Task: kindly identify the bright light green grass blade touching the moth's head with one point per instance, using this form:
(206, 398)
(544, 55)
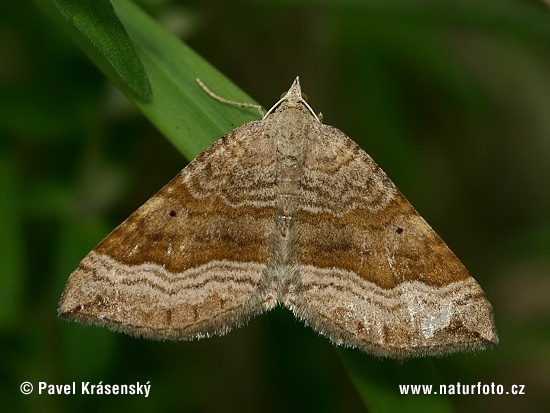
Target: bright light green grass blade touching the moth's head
(181, 110)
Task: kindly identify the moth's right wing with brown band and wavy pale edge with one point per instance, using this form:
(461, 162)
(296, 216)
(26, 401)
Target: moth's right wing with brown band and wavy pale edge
(374, 275)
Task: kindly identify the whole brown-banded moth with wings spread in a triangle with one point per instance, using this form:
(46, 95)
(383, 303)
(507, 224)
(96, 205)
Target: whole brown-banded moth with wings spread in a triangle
(283, 211)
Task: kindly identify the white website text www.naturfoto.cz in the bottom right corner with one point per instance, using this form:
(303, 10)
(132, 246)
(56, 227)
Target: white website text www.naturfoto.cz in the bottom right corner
(460, 388)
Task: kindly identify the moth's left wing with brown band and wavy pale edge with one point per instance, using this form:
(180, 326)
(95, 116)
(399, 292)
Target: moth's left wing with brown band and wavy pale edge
(192, 261)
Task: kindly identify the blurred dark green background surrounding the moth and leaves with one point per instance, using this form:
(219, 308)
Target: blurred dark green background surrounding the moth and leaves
(451, 98)
